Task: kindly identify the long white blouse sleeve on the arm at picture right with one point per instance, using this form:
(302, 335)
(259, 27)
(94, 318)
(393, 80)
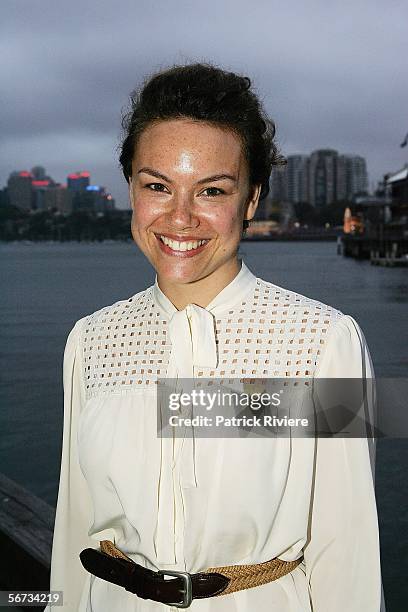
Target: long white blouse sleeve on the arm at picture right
(342, 555)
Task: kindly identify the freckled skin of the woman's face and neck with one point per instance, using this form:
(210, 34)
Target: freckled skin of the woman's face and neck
(185, 152)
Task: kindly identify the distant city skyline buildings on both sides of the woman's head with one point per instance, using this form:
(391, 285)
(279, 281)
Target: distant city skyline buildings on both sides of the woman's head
(294, 182)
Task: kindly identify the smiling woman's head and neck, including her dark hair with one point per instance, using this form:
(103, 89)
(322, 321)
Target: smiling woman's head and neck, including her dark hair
(203, 134)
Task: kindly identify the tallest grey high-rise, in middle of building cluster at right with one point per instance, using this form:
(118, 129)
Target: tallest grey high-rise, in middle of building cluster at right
(322, 177)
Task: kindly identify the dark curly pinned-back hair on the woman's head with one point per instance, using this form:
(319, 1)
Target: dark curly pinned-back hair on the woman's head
(204, 92)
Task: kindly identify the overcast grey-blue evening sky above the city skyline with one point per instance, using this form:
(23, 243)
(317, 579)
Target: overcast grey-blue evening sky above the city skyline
(330, 73)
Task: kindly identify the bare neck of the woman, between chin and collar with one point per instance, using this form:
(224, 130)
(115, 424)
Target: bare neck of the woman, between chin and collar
(200, 292)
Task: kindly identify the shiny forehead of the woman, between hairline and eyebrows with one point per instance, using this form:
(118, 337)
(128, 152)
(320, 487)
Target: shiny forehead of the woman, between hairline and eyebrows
(184, 143)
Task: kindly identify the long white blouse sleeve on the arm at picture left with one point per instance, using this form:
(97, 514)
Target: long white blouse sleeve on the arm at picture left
(74, 512)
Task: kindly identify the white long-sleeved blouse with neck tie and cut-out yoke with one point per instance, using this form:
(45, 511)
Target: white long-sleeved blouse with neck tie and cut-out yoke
(192, 503)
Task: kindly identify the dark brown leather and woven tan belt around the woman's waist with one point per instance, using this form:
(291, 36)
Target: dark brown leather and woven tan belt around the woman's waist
(212, 582)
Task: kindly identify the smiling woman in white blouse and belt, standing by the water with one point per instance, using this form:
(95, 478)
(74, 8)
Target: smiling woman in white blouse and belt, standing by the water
(197, 155)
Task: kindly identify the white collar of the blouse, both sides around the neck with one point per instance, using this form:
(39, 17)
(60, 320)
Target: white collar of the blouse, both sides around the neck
(233, 293)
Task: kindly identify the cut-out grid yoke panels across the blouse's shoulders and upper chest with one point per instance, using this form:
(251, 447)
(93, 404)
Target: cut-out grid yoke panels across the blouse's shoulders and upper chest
(274, 332)
